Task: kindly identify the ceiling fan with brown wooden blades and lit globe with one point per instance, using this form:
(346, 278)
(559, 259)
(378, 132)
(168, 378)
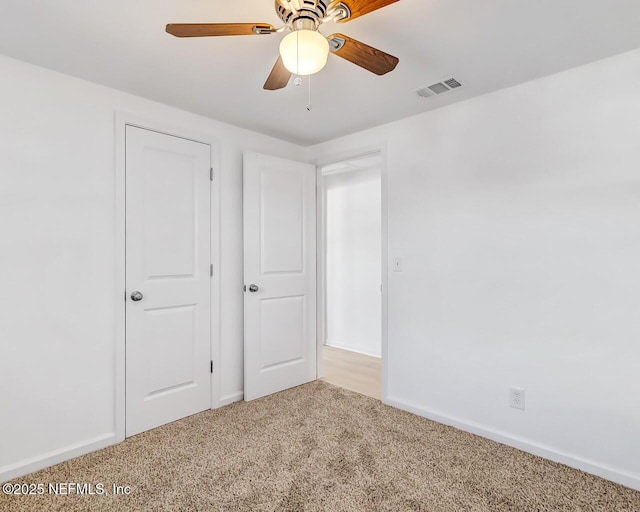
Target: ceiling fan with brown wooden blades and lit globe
(304, 51)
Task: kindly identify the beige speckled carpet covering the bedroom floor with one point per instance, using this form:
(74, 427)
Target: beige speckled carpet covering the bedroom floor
(319, 447)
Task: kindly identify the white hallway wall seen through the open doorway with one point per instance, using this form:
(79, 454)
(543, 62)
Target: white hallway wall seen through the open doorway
(353, 273)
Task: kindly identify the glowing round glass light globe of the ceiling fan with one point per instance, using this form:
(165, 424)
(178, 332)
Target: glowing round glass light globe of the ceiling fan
(304, 52)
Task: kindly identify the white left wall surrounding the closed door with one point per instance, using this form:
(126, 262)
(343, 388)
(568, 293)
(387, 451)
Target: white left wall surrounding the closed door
(57, 258)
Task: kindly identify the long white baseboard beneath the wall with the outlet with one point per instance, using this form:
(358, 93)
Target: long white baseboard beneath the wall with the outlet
(608, 473)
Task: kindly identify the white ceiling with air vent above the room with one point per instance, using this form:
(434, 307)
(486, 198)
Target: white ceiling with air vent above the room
(485, 44)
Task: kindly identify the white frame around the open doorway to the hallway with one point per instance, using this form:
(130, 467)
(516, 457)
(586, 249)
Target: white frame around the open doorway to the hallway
(381, 150)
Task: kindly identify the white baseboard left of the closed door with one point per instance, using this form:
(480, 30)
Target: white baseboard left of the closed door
(51, 458)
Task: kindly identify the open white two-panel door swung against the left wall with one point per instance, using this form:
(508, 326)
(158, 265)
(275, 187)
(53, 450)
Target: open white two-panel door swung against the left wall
(279, 274)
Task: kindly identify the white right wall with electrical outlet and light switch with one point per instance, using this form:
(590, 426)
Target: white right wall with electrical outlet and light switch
(518, 217)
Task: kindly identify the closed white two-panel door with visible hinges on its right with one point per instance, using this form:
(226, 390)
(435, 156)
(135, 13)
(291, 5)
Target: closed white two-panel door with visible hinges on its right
(168, 314)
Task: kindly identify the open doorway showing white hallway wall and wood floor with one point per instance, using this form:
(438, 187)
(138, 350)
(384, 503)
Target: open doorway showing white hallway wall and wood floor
(350, 261)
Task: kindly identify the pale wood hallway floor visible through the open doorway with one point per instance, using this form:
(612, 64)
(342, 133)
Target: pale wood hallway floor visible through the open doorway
(352, 371)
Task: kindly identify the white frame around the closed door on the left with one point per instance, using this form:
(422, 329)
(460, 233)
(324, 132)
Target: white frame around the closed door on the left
(123, 119)
